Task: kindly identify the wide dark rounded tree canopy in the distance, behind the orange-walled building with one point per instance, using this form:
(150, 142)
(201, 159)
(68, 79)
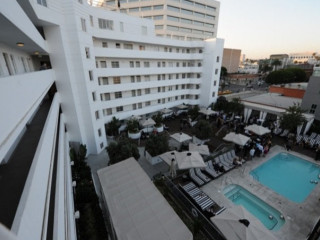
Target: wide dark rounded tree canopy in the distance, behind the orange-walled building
(289, 75)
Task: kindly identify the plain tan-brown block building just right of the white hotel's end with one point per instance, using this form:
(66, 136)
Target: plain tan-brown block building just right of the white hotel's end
(231, 59)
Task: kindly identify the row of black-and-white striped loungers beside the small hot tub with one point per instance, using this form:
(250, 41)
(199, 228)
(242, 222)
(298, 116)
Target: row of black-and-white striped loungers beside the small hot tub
(199, 197)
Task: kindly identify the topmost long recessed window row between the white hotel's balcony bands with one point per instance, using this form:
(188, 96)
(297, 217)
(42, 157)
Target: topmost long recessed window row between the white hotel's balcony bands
(155, 48)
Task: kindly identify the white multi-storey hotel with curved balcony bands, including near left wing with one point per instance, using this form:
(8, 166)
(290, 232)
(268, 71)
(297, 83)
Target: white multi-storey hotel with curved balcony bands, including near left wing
(103, 64)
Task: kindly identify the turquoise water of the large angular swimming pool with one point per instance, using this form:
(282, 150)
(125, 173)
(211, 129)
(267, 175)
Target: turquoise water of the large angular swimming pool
(288, 175)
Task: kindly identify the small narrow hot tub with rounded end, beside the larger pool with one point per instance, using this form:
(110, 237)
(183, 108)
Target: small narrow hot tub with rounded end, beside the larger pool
(268, 216)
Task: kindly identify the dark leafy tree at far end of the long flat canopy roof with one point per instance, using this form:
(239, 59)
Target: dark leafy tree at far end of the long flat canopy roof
(122, 150)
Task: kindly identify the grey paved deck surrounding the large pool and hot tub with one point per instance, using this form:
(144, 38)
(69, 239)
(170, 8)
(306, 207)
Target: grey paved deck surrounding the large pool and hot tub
(300, 217)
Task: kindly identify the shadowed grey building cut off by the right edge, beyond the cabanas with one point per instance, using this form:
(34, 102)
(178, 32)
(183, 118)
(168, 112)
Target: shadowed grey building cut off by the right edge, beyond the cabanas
(311, 99)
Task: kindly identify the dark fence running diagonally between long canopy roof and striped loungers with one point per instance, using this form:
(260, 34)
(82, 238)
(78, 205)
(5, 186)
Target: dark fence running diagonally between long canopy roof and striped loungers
(206, 225)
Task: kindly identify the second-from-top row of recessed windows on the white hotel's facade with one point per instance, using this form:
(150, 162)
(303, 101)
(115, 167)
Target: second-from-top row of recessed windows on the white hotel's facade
(137, 64)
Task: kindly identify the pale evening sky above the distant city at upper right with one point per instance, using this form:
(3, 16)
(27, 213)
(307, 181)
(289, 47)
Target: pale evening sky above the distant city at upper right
(263, 27)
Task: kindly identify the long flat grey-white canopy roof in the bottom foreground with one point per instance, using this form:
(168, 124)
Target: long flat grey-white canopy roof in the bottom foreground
(138, 210)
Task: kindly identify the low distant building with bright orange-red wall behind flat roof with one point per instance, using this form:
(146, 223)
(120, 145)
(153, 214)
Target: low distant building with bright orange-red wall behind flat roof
(296, 90)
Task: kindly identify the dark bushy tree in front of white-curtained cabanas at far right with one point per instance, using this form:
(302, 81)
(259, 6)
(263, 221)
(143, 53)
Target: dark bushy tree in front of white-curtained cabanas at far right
(292, 118)
